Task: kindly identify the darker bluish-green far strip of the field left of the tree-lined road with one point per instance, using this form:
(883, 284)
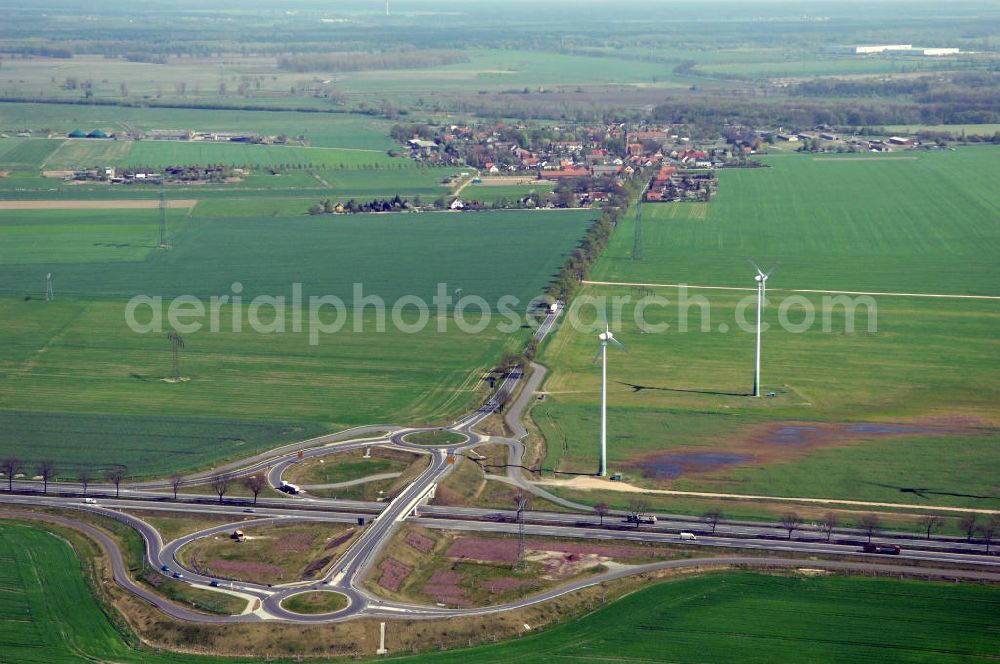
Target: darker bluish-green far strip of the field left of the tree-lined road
(403, 255)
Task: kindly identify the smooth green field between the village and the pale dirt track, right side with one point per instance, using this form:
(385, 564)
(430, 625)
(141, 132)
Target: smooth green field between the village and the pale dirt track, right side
(923, 224)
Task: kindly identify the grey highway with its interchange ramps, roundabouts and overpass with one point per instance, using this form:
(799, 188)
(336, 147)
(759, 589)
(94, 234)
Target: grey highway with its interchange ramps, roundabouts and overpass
(382, 520)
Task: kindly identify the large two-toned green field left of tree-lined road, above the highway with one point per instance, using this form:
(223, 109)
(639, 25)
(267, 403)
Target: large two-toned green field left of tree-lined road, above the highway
(77, 355)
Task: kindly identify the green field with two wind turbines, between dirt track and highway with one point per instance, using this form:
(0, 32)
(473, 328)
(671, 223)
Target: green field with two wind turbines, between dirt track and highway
(678, 410)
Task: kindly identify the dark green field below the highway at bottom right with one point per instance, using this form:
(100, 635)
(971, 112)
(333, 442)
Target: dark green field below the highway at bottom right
(755, 618)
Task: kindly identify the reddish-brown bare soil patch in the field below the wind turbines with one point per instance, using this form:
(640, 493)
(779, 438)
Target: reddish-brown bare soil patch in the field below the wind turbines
(775, 442)
